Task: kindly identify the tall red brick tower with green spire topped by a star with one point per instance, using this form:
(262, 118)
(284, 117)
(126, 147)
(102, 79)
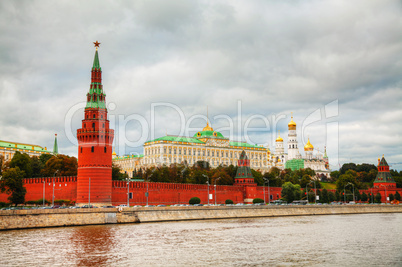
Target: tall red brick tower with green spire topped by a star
(94, 178)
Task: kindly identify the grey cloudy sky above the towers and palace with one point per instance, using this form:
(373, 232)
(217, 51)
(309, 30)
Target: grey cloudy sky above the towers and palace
(336, 65)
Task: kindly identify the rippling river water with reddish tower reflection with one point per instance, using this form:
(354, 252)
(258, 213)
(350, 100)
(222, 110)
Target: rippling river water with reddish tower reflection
(334, 240)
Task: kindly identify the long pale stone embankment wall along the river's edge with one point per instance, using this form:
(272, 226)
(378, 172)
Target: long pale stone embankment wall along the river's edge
(23, 219)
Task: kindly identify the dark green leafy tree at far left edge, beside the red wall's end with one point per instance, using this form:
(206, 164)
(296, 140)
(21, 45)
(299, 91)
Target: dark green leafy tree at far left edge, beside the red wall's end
(12, 184)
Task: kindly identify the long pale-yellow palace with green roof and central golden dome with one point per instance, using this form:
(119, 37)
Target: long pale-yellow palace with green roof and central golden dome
(207, 145)
